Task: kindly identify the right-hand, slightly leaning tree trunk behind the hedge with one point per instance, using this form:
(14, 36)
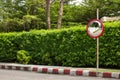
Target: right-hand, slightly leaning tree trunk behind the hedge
(60, 13)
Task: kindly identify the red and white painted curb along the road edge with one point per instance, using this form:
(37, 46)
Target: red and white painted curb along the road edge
(66, 71)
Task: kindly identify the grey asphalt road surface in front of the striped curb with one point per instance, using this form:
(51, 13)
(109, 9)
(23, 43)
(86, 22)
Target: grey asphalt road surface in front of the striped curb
(24, 75)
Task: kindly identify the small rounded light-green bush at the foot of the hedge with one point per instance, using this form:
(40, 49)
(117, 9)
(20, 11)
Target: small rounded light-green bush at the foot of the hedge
(23, 57)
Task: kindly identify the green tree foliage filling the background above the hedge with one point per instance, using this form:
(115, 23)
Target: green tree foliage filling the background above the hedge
(19, 15)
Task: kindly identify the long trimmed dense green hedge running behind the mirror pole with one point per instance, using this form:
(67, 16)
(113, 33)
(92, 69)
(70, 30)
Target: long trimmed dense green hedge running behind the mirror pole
(64, 47)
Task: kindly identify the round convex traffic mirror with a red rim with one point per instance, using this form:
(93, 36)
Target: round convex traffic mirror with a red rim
(95, 28)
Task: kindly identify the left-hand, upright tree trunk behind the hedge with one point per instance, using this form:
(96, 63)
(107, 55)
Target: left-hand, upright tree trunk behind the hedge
(48, 14)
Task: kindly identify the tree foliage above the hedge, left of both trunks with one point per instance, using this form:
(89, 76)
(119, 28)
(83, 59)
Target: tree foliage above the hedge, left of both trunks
(20, 15)
